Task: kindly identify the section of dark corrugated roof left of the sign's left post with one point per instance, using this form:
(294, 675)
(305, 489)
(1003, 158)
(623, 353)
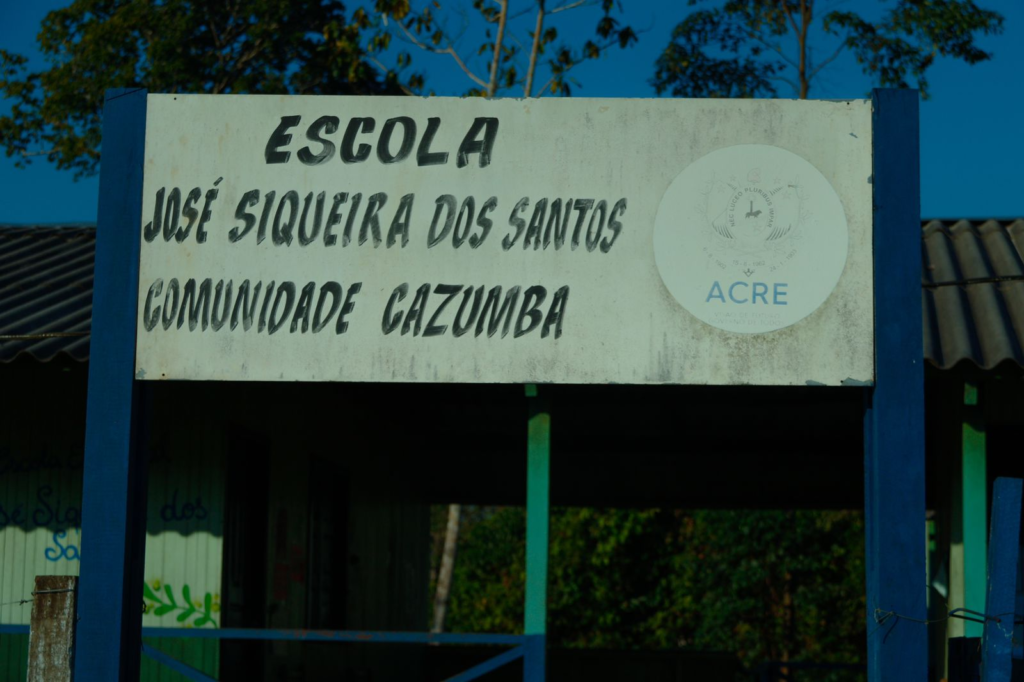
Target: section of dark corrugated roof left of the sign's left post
(46, 291)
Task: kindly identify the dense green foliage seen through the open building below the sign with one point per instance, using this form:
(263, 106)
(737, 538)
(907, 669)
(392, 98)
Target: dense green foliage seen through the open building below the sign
(766, 585)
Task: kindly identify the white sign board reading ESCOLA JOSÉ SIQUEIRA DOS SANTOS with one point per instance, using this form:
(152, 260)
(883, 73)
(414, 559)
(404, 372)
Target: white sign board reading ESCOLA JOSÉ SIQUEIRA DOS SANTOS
(566, 241)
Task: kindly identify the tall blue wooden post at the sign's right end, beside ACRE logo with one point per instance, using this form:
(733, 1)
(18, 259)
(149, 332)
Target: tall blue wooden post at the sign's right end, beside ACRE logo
(894, 419)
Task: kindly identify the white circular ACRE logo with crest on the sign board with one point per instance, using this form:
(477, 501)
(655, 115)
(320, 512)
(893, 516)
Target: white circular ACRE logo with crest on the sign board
(751, 239)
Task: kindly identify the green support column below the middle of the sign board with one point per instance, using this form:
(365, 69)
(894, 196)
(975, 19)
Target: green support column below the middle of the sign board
(538, 521)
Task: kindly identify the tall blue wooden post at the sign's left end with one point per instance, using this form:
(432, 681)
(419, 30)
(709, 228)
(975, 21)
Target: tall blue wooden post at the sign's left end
(109, 644)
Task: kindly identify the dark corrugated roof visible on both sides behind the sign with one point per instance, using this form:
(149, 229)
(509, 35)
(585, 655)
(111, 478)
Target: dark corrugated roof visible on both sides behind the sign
(973, 291)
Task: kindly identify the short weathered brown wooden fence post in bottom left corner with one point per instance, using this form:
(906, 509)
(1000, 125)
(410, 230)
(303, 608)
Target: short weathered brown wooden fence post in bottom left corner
(52, 635)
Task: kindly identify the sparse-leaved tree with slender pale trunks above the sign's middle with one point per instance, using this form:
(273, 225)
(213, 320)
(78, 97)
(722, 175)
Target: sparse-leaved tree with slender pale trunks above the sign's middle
(495, 65)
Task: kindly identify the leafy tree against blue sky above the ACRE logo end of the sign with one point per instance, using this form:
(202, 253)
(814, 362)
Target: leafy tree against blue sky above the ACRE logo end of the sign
(743, 48)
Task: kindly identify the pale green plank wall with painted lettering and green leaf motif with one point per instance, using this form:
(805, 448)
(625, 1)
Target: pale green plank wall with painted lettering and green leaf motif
(40, 530)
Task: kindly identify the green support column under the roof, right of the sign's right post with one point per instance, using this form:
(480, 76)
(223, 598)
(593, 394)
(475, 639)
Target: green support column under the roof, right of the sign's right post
(975, 506)
